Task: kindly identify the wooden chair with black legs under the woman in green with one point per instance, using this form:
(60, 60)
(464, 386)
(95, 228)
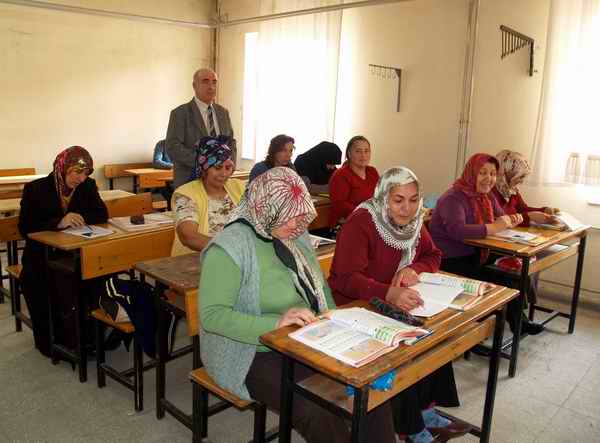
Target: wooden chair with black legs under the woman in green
(203, 385)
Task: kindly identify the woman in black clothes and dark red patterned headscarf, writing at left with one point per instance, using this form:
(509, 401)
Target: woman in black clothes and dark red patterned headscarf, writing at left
(67, 197)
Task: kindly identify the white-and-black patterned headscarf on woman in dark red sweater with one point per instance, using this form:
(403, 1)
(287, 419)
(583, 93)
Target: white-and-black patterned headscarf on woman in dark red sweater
(403, 238)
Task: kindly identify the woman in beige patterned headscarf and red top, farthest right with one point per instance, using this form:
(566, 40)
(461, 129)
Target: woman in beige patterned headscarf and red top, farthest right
(513, 170)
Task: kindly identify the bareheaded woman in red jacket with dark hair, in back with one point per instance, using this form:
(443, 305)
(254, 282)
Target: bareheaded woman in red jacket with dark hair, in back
(354, 182)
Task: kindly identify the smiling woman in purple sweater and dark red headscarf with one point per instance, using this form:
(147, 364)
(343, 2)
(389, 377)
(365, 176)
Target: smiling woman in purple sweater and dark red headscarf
(469, 210)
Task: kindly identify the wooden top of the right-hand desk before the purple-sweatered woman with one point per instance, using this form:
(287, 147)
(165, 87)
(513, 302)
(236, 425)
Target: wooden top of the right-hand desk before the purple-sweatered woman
(553, 237)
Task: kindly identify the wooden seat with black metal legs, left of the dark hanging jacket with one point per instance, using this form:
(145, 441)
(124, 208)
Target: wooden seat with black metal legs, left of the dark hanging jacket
(131, 379)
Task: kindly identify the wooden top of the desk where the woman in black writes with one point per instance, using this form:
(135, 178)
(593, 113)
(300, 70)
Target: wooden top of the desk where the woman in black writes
(67, 242)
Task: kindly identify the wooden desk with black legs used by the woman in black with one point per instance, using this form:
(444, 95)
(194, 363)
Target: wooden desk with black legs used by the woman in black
(97, 257)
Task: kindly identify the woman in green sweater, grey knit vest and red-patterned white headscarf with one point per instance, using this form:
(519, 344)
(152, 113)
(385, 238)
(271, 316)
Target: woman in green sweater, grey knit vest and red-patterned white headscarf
(261, 273)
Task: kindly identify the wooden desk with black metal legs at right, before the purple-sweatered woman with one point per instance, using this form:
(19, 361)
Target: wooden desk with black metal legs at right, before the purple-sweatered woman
(548, 254)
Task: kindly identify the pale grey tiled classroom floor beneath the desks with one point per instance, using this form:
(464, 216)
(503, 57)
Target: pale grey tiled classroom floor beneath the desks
(554, 398)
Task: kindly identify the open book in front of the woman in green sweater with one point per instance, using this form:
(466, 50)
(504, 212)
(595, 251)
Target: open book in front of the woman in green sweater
(357, 336)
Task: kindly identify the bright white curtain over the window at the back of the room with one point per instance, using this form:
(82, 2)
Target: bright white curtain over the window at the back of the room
(295, 76)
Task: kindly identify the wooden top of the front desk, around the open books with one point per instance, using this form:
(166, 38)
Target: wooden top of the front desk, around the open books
(444, 325)
